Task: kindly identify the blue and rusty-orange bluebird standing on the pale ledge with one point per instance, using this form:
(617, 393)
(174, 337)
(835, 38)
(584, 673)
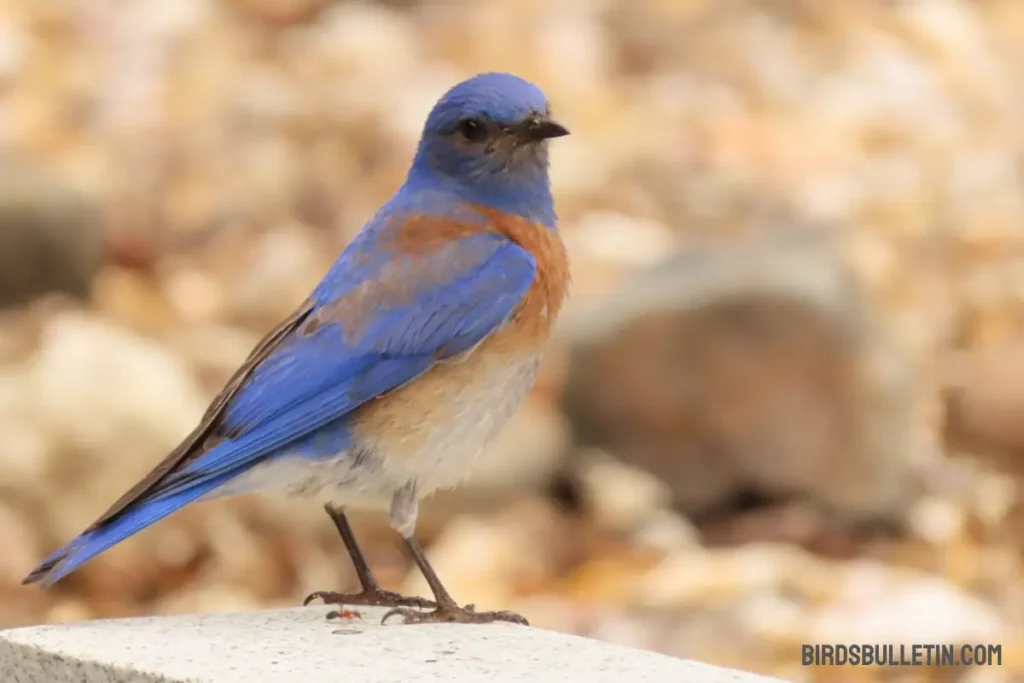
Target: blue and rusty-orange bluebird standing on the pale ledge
(407, 359)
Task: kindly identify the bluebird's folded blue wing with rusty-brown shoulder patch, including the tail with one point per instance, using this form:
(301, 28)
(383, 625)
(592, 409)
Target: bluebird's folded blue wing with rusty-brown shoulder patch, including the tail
(376, 323)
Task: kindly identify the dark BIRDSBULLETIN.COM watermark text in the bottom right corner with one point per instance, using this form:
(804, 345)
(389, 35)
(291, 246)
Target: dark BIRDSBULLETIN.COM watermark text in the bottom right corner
(902, 656)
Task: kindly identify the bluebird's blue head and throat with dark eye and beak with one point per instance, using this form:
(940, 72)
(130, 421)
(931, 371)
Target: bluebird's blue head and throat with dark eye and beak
(487, 139)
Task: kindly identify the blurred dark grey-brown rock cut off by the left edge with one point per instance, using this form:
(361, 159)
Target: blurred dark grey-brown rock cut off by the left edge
(51, 237)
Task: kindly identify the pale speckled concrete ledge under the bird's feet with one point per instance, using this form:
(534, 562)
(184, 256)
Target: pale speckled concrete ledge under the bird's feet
(297, 646)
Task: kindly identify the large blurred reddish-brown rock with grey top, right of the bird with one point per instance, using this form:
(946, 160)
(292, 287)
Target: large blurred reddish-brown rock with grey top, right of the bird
(748, 368)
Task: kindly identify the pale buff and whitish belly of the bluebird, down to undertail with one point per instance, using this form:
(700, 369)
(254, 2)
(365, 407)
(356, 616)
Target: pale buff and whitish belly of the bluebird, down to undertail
(430, 438)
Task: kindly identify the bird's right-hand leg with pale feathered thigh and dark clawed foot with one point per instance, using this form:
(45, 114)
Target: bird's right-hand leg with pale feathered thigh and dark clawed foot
(447, 611)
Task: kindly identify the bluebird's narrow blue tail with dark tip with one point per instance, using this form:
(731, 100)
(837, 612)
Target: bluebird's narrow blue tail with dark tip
(141, 516)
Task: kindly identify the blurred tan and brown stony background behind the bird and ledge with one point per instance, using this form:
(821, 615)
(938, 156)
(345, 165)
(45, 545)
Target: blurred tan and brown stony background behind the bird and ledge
(786, 403)
